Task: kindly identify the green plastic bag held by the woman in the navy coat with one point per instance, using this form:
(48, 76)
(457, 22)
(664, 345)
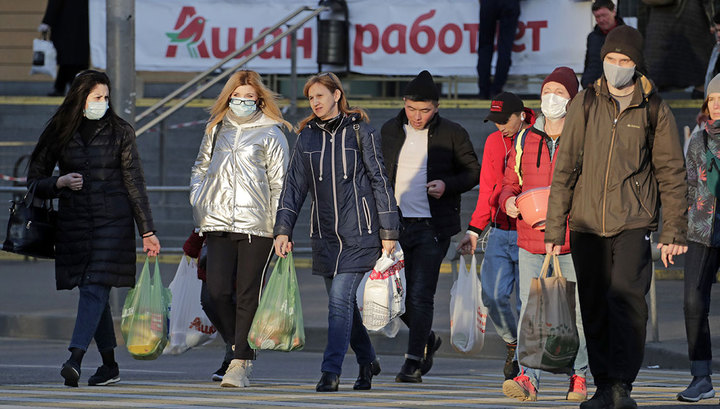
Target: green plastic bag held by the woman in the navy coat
(278, 323)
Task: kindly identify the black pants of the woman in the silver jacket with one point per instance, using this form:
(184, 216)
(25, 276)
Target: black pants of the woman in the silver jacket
(240, 259)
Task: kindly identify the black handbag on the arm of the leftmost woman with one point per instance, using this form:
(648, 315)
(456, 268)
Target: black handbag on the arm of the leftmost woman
(31, 227)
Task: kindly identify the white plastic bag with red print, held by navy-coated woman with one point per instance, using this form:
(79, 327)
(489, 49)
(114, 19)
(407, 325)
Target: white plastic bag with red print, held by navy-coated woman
(383, 297)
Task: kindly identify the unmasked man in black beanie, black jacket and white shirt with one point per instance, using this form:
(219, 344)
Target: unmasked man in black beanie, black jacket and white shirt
(430, 162)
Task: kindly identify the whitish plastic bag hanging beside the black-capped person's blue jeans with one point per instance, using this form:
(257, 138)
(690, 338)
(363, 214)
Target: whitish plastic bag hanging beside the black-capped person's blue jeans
(468, 314)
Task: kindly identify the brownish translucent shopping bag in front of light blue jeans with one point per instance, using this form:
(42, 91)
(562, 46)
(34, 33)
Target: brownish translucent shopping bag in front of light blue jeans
(548, 337)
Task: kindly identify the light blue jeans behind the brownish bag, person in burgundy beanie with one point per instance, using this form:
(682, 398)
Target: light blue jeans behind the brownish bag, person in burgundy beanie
(530, 266)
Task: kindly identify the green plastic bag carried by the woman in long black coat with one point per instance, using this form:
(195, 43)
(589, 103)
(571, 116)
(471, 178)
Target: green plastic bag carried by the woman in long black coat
(144, 322)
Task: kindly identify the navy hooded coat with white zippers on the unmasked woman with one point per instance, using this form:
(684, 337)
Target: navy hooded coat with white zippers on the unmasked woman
(353, 205)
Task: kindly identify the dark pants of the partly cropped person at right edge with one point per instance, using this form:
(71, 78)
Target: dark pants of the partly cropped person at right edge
(701, 265)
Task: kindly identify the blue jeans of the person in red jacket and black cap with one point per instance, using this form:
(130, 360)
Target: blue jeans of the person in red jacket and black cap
(499, 275)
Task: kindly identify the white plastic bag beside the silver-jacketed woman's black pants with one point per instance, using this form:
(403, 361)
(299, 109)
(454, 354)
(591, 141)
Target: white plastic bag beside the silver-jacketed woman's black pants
(189, 326)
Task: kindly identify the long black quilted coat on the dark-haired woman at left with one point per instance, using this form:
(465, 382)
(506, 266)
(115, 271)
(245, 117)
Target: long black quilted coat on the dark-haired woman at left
(95, 238)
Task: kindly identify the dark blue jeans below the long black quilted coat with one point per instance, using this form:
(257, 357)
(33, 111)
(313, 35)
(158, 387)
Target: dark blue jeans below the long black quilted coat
(94, 319)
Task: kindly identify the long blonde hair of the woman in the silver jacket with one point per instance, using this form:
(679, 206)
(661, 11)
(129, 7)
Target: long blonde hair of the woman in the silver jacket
(266, 99)
